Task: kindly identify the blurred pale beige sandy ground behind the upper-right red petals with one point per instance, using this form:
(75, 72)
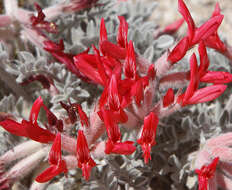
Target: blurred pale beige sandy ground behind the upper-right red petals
(201, 10)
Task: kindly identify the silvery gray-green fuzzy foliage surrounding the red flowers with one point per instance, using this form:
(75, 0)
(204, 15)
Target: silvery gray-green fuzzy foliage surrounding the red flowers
(177, 135)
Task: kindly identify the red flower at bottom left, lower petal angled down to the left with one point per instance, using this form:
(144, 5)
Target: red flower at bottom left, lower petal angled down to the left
(55, 159)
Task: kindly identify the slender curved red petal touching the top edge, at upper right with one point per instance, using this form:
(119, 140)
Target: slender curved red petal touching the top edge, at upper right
(188, 18)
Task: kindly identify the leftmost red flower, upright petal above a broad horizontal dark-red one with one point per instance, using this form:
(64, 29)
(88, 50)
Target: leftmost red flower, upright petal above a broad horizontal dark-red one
(30, 129)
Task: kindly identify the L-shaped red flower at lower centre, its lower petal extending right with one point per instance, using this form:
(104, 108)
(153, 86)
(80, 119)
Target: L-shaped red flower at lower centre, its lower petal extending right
(114, 144)
